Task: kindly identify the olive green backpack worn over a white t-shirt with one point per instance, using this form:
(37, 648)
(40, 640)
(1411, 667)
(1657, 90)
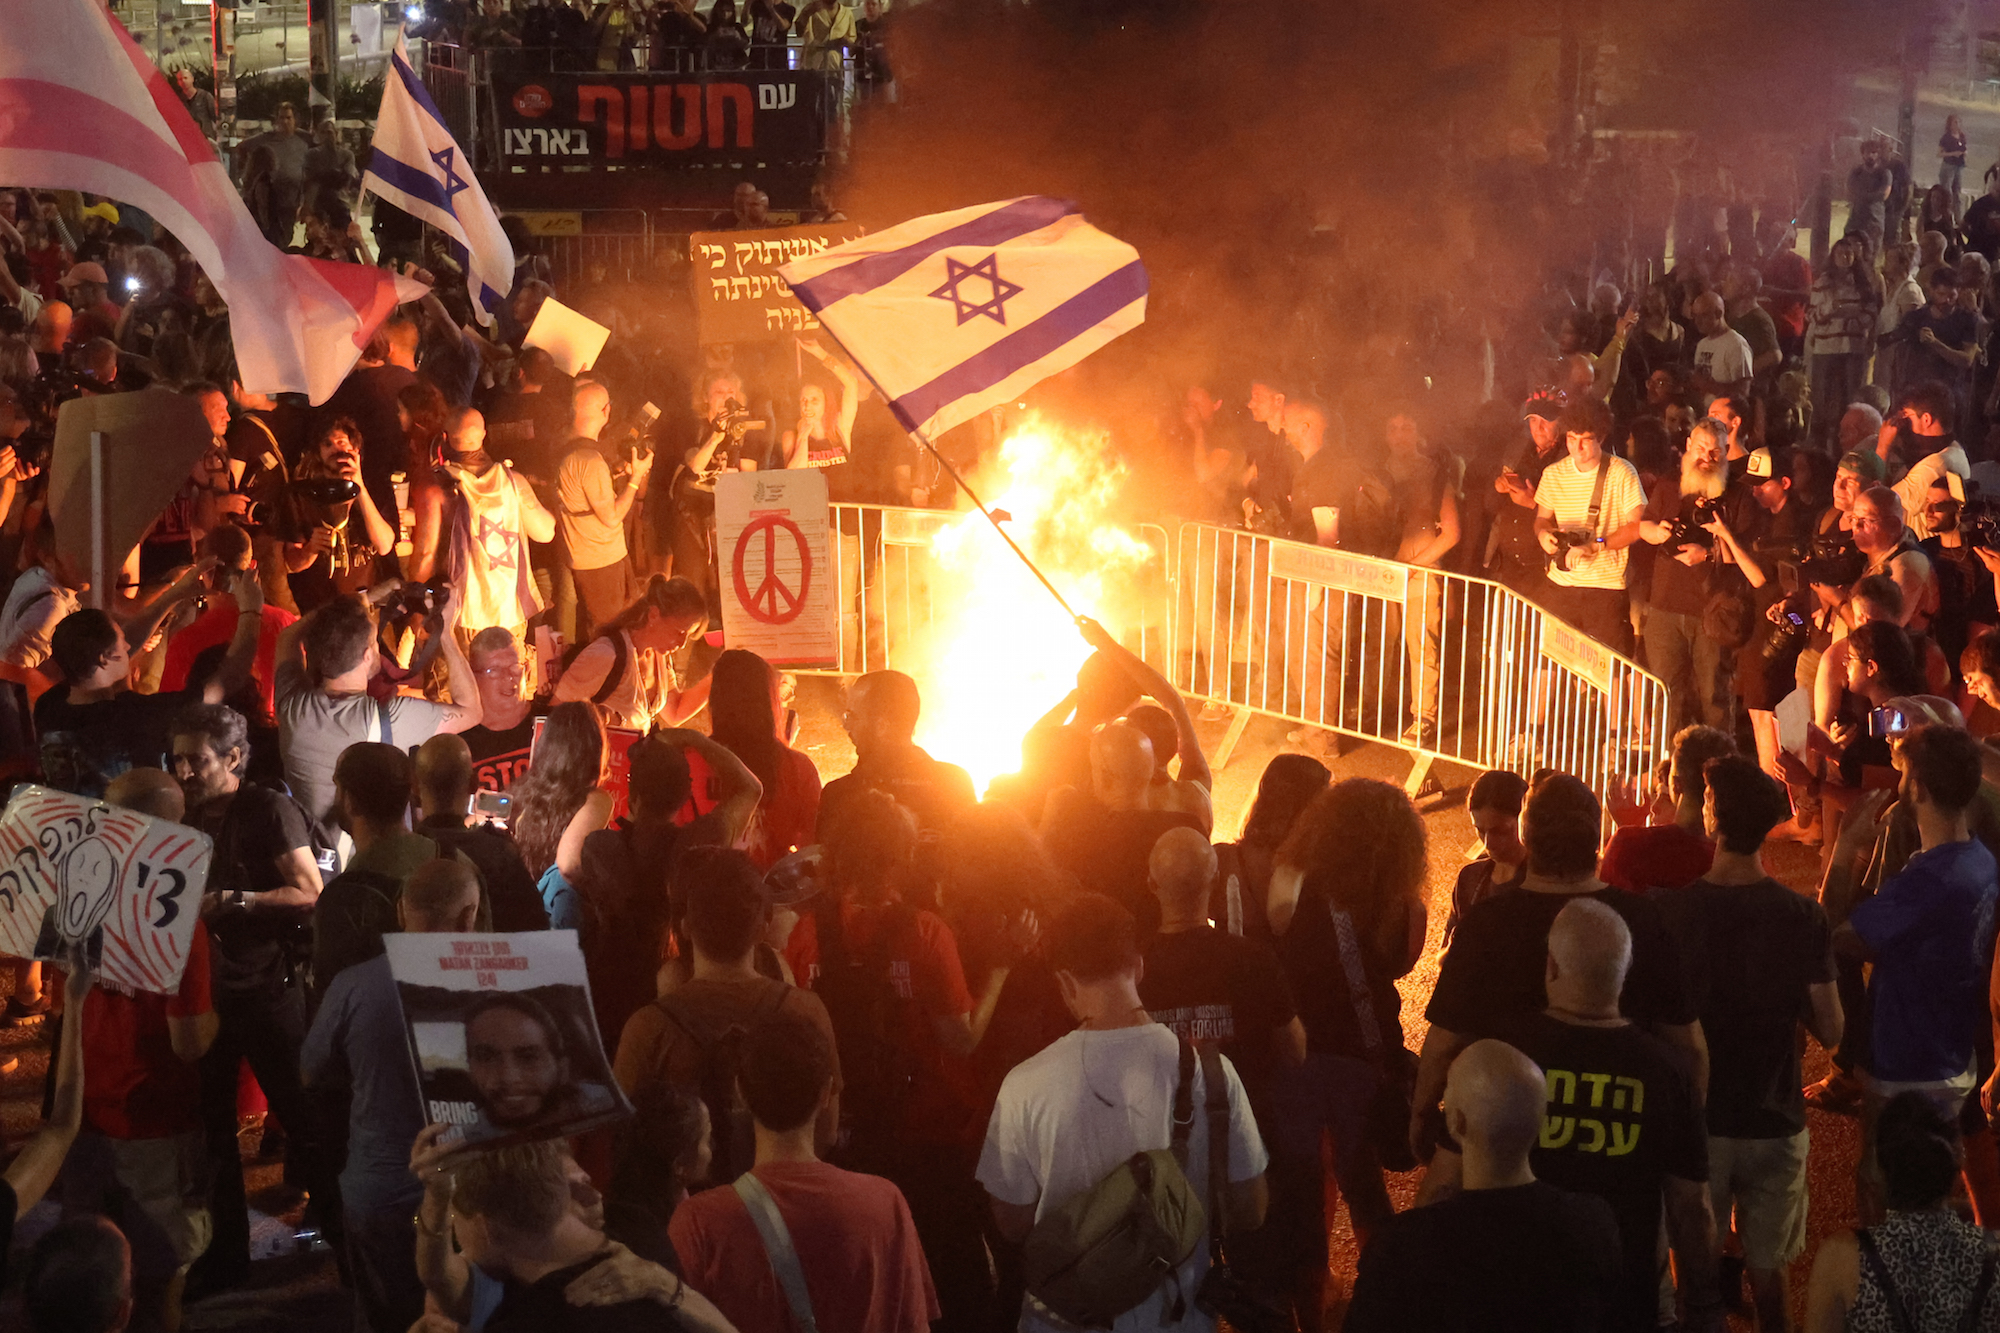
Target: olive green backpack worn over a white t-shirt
(1113, 1246)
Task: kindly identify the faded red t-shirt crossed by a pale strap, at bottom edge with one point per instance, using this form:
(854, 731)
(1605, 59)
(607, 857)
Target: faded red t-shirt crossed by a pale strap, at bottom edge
(857, 1248)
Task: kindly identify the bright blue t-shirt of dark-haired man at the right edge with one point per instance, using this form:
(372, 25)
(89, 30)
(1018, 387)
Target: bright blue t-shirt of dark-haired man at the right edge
(1931, 932)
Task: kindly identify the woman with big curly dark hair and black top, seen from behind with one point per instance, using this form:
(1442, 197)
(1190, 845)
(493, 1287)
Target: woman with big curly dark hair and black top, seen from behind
(1347, 912)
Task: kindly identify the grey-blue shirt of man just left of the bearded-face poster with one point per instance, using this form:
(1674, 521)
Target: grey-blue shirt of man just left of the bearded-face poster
(359, 1040)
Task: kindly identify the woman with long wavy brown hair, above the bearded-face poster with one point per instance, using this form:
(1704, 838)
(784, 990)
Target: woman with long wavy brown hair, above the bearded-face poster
(559, 804)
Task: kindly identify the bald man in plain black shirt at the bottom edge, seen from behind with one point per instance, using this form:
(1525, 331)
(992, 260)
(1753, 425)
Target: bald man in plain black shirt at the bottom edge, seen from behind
(1507, 1252)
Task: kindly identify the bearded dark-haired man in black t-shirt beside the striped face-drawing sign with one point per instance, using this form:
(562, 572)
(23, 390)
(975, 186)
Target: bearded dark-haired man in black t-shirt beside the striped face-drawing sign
(263, 886)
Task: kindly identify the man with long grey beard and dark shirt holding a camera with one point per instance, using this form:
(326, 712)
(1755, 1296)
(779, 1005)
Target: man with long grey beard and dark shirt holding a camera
(1679, 649)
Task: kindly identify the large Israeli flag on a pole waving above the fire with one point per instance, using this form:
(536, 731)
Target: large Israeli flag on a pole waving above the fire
(961, 311)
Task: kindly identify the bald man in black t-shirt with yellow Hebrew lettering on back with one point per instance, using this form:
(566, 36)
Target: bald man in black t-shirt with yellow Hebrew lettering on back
(1623, 1118)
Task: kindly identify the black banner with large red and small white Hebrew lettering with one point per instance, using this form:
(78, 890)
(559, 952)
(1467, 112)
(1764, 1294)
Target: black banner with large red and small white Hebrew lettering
(641, 119)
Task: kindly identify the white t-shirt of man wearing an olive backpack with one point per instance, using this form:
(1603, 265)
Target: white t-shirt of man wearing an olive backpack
(1053, 1138)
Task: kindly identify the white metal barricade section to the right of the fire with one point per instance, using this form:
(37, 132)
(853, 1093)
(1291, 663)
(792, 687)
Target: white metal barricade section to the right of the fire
(1425, 659)
